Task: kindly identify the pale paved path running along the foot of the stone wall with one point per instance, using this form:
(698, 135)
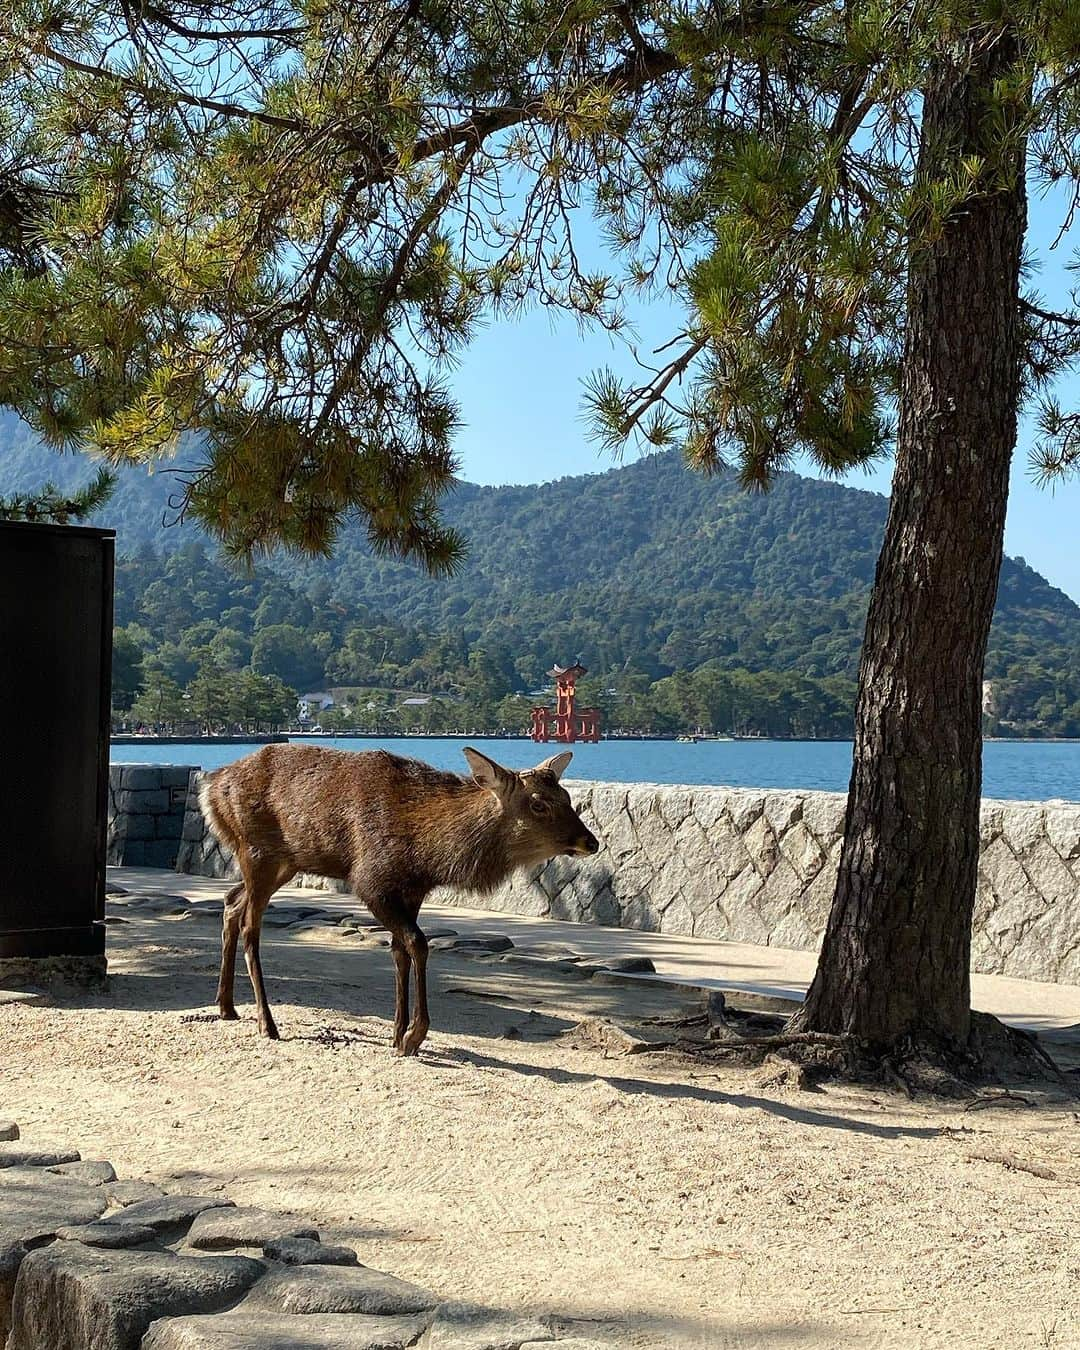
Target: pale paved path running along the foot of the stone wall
(776, 971)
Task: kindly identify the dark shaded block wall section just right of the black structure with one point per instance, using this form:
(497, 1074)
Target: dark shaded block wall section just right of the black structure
(146, 813)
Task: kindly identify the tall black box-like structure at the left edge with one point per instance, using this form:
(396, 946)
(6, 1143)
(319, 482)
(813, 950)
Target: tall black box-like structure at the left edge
(56, 666)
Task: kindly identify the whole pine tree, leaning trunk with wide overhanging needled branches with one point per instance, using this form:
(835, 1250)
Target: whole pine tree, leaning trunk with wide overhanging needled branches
(277, 223)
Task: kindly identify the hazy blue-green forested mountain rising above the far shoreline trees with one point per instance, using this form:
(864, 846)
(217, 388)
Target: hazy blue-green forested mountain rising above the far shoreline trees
(646, 572)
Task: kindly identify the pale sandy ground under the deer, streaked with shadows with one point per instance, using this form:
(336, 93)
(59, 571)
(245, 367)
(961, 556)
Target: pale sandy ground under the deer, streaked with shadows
(657, 1204)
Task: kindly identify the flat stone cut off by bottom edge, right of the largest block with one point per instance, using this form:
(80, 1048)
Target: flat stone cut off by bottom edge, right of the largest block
(245, 1332)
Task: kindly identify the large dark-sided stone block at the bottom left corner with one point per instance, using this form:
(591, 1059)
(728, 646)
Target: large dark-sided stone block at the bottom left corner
(70, 1297)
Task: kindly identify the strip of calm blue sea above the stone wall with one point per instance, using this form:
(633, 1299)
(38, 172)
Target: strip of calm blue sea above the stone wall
(1021, 770)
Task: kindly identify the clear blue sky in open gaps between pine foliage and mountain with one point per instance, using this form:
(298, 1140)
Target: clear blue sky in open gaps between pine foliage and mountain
(520, 387)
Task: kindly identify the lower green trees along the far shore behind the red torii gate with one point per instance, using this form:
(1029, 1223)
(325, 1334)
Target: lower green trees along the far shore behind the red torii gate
(199, 645)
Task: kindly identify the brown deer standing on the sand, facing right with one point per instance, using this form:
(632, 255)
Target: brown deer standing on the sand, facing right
(394, 828)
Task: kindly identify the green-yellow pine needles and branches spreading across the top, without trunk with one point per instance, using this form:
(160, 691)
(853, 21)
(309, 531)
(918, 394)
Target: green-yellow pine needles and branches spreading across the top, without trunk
(279, 222)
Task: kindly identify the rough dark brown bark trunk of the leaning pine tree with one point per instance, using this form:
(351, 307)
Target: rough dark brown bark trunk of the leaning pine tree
(894, 963)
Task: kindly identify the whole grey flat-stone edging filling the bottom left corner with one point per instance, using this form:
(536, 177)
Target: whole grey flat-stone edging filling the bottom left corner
(92, 1263)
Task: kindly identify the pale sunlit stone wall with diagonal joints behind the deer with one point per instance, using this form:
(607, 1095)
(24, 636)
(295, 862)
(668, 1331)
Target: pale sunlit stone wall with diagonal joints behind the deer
(750, 866)
